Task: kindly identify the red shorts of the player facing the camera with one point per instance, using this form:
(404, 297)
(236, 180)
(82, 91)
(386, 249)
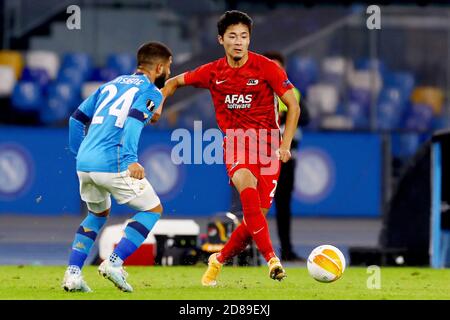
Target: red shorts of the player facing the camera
(266, 173)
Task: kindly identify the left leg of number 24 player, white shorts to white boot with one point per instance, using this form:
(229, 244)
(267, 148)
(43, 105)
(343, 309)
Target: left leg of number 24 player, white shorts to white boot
(99, 203)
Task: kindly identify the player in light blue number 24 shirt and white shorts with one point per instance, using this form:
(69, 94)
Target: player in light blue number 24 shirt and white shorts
(107, 162)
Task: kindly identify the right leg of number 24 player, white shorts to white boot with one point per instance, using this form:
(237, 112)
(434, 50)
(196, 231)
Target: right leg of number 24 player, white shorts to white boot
(149, 210)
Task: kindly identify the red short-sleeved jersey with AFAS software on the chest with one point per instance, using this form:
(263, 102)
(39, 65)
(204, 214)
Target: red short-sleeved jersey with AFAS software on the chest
(244, 97)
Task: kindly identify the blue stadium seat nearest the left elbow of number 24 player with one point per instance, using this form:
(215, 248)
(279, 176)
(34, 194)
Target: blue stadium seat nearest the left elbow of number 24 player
(63, 98)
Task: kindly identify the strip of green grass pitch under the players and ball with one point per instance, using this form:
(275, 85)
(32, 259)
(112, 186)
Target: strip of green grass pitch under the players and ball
(249, 283)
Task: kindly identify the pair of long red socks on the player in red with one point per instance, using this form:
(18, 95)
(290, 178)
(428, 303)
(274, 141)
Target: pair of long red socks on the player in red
(255, 226)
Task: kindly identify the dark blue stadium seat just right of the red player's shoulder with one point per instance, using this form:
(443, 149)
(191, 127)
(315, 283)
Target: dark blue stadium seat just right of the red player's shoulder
(302, 72)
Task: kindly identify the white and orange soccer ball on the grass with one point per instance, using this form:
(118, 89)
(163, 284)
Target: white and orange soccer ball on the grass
(326, 263)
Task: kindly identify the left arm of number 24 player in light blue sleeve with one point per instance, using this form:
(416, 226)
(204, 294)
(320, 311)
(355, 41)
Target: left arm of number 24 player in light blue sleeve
(79, 120)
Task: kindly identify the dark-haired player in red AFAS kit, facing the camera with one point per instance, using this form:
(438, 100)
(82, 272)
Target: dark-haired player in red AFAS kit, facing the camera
(243, 86)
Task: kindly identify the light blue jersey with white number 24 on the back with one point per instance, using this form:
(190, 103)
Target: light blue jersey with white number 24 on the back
(117, 112)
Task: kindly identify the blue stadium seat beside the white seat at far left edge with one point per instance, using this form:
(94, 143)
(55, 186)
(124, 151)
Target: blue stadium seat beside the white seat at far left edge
(27, 96)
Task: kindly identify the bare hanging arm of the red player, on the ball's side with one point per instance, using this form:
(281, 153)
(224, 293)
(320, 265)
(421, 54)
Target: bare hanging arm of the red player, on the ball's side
(292, 116)
